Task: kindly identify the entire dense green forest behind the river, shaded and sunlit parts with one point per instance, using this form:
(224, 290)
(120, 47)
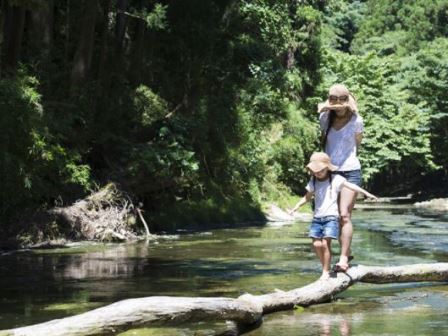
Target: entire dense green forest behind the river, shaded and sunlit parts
(205, 109)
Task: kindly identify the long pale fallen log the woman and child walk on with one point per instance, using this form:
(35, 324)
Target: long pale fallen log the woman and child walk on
(244, 311)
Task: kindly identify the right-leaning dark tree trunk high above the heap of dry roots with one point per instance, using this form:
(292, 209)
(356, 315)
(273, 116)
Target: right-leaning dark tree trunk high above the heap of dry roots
(83, 55)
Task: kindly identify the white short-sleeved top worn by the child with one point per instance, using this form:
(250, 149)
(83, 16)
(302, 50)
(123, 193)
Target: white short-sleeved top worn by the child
(326, 198)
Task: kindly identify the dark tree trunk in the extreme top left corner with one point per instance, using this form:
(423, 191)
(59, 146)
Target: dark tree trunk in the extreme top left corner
(13, 27)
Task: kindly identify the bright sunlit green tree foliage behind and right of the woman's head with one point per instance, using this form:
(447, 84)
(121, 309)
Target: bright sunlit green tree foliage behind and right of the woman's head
(398, 72)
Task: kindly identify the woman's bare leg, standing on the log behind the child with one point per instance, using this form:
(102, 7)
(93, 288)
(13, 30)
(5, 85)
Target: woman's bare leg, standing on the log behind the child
(346, 202)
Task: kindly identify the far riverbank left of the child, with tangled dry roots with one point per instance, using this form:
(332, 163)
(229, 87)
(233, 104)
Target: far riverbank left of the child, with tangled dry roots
(87, 221)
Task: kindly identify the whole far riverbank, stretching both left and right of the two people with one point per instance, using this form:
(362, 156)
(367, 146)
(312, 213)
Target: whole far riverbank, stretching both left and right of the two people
(47, 231)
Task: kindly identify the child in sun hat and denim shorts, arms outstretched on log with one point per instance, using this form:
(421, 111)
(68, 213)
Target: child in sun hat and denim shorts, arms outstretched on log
(325, 187)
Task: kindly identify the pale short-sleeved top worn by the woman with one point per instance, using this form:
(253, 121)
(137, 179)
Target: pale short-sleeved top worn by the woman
(341, 144)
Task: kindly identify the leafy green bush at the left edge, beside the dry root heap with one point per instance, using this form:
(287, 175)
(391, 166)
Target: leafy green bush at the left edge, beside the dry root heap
(35, 168)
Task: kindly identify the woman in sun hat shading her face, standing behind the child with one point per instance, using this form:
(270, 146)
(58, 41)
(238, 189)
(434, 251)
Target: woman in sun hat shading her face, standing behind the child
(342, 128)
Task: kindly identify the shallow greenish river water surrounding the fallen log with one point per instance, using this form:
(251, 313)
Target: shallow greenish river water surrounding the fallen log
(43, 285)
